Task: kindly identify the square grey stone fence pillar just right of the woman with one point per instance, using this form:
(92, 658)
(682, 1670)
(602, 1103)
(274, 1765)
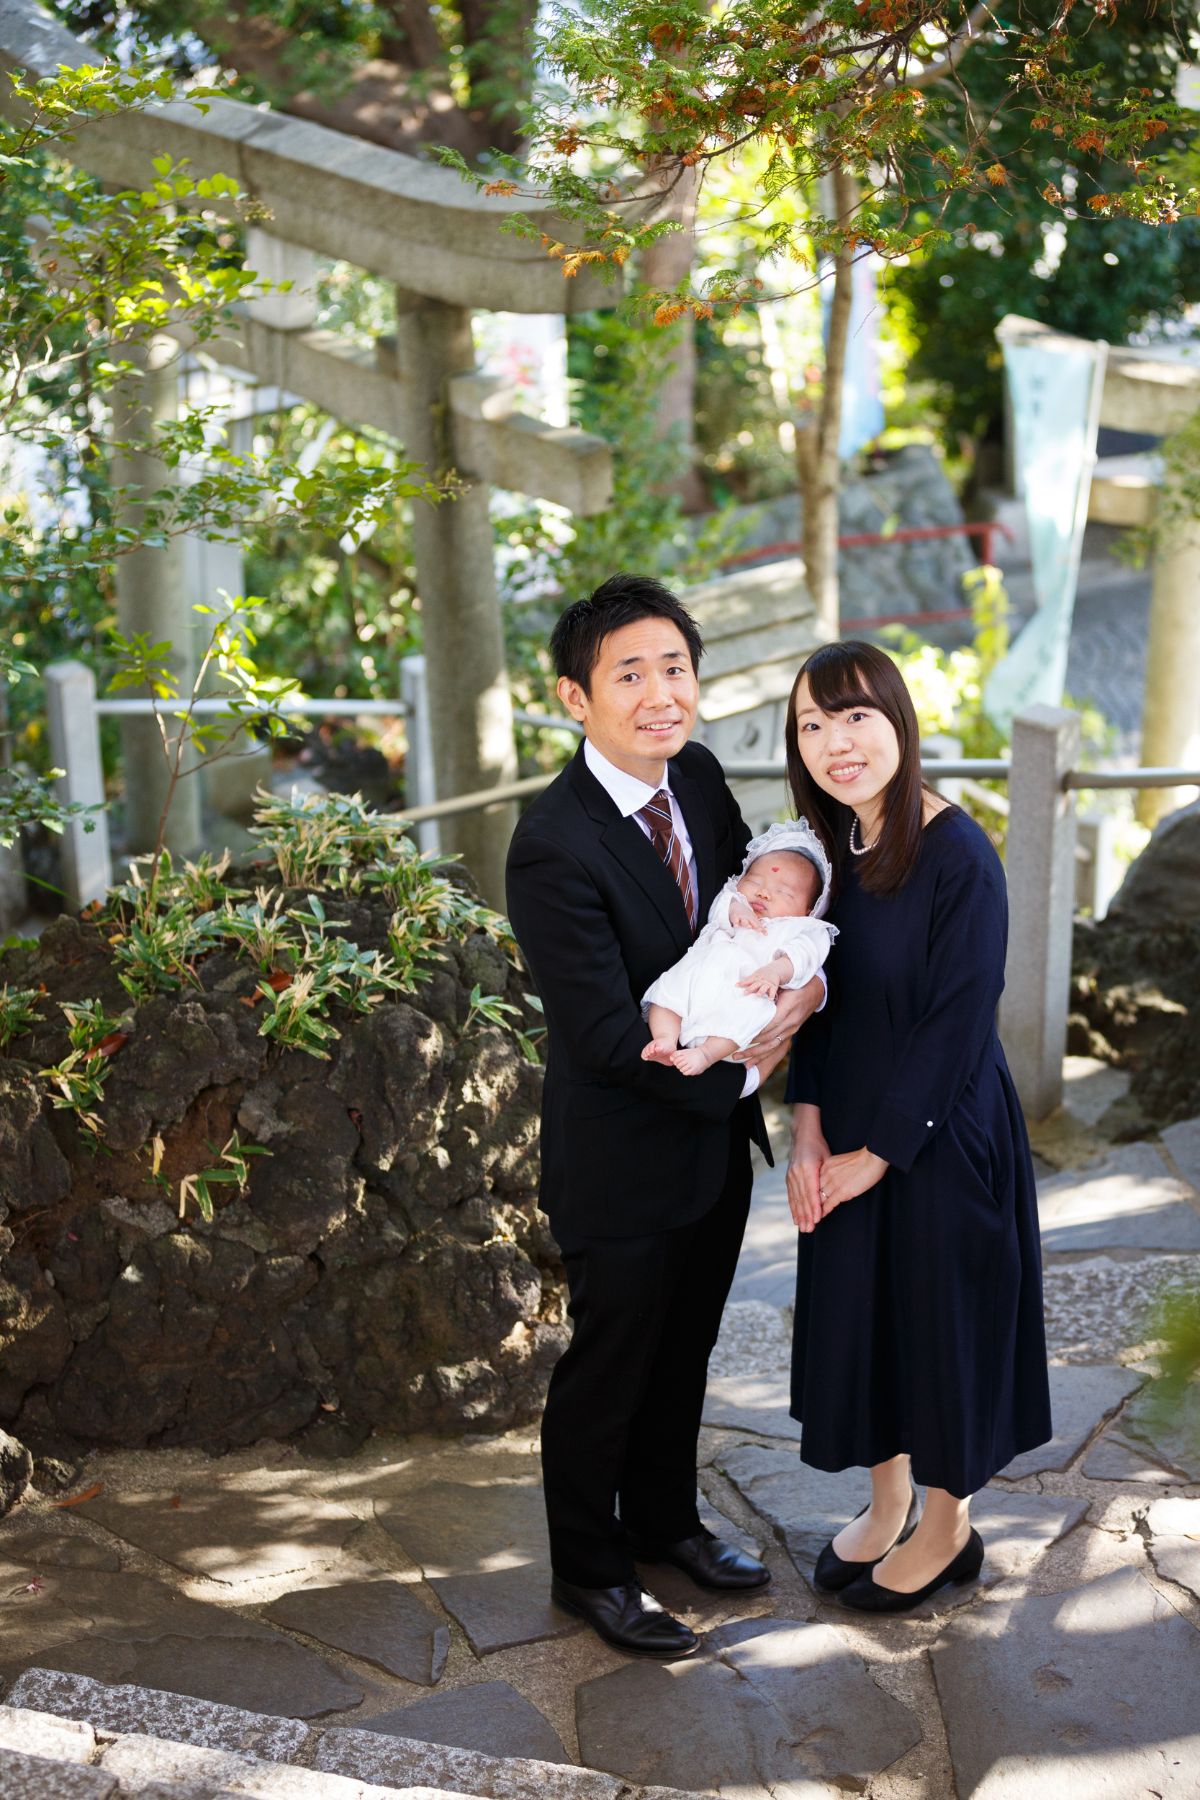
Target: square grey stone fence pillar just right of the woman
(1041, 885)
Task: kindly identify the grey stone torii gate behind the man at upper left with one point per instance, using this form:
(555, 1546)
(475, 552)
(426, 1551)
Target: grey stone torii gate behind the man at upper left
(427, 231)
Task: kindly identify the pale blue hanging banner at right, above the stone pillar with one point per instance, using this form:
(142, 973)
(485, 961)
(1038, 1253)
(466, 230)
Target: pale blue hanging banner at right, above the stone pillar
(1055, 386)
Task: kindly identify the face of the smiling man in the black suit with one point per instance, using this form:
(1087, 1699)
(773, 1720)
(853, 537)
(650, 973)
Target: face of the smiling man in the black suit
(643, 701)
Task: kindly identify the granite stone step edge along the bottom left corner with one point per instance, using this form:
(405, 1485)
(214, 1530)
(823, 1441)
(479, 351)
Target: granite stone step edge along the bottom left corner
(121, 1741)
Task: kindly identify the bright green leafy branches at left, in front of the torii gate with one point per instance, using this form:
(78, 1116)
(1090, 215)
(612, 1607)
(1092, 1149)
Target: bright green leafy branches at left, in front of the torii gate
(107, 274)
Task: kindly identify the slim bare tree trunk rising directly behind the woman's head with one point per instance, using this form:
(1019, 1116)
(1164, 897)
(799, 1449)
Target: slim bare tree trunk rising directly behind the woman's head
(818, 460)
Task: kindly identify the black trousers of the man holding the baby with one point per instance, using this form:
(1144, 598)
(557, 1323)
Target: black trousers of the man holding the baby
(623, 1412)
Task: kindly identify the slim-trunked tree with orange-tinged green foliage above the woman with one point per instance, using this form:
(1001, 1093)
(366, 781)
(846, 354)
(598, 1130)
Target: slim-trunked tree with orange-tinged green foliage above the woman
(870, 136)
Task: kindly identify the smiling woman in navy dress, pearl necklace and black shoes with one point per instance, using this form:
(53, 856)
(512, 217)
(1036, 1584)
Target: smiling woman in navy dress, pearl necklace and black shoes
(920, 1347)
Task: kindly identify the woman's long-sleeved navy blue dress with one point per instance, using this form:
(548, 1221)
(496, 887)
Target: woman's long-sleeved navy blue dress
(918, 1308)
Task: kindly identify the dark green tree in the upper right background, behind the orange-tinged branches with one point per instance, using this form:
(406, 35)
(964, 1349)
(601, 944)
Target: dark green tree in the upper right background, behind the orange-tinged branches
(1048, 242)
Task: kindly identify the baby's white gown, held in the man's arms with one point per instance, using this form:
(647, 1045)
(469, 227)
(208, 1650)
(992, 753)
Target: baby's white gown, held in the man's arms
(703, 987)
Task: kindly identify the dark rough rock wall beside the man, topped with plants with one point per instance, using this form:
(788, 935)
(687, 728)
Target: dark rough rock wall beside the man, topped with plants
(386, 1264)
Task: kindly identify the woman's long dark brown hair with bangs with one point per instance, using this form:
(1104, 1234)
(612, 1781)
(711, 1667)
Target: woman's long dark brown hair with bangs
(839, 679)
